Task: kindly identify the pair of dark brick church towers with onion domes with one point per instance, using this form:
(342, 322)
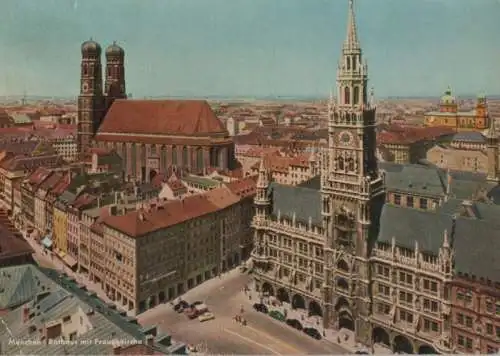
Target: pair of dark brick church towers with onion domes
(93, 102)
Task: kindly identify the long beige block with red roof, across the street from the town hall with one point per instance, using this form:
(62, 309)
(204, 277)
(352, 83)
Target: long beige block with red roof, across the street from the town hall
(158, 252)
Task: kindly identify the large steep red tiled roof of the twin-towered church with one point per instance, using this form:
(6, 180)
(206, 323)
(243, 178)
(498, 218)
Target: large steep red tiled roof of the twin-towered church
(168, 117)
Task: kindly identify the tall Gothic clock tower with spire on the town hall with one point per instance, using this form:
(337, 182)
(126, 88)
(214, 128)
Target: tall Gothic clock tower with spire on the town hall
(352, 192)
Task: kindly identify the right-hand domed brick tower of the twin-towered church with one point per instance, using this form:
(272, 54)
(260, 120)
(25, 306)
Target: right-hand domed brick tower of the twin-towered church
(115, 74)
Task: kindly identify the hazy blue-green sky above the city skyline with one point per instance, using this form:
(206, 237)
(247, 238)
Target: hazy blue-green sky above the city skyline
(252, 47)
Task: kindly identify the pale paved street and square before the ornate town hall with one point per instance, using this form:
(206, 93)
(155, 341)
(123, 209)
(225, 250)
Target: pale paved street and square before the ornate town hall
(224, 297)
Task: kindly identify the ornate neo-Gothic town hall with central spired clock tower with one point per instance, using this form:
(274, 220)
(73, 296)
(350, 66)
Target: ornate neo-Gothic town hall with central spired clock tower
(400, 254)
